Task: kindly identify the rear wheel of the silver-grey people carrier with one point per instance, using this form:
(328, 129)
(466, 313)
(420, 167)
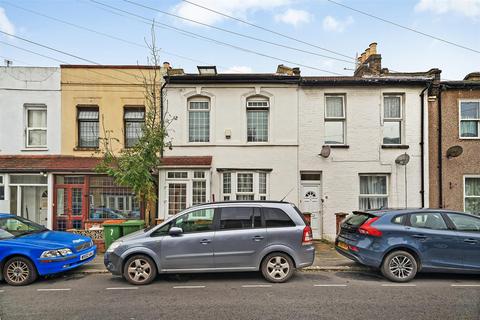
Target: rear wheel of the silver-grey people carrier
(277, 267)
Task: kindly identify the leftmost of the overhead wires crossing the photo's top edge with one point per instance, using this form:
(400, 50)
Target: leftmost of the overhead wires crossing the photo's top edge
(219, 42)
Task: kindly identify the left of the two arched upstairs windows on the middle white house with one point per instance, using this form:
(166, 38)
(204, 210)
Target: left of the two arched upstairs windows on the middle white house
(199, 120)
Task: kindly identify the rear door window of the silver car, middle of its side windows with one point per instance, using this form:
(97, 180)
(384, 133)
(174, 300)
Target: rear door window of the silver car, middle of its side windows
(239, 218)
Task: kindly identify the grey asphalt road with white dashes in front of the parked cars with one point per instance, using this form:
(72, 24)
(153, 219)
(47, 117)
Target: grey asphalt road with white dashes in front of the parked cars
(308, 295)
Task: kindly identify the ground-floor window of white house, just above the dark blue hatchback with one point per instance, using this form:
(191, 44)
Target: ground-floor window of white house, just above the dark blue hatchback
(373, 191)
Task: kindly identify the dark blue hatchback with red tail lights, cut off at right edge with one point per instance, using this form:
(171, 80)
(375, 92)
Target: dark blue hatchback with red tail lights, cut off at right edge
(403, 242)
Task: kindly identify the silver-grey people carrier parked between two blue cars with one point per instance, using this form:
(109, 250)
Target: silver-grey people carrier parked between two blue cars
(218, 237)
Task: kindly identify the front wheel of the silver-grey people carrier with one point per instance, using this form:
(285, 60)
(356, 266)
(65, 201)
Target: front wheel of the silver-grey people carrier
(140, 270)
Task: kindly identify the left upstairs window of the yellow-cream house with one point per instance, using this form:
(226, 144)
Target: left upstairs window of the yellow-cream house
(88, 126)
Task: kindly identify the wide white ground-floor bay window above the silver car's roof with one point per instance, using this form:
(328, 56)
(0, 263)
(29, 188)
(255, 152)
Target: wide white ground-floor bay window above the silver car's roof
(244, 185)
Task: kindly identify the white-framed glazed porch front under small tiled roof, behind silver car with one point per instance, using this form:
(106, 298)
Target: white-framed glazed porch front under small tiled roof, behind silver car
(186, 188)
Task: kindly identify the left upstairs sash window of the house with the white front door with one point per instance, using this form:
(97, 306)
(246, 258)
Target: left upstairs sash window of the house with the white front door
(335, 119)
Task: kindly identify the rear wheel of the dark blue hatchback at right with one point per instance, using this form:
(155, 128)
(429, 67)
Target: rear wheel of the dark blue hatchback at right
(399, 266)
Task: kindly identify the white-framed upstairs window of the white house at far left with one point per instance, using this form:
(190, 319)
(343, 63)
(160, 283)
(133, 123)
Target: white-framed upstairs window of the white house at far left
(36, 126)
